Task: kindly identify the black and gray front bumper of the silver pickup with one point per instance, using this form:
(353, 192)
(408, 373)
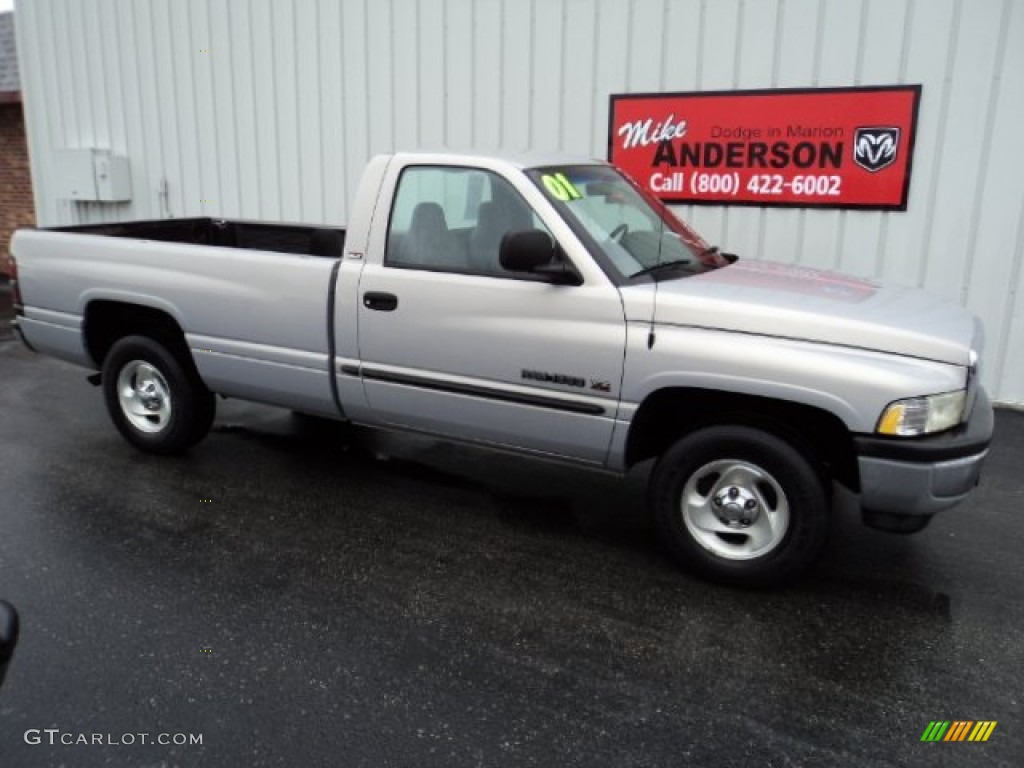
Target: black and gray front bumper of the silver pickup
(924, 476)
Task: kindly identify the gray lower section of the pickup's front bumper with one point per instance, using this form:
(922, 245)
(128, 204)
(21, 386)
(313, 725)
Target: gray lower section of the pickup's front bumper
(911, 489)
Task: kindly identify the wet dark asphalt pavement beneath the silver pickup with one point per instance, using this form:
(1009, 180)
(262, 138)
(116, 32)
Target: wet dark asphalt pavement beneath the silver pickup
(305, 594)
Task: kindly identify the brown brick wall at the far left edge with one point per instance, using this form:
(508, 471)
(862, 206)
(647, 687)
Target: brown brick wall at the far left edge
(16, 183)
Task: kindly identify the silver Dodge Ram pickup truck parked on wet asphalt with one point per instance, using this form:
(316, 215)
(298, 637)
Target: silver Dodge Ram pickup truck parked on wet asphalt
(541, 306)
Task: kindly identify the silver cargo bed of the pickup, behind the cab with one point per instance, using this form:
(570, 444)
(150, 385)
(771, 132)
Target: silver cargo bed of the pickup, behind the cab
(253, 300)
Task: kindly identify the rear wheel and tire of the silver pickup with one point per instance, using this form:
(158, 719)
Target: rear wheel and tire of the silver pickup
(155, 399)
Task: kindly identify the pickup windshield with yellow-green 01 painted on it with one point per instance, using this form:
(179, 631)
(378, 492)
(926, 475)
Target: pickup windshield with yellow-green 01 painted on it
(633, 230)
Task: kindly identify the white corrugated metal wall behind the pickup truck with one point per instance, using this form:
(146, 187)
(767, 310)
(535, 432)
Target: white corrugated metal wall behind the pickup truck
(269, 110)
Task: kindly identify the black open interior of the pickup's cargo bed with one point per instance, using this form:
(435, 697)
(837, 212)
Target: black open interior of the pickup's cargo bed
(259, 236)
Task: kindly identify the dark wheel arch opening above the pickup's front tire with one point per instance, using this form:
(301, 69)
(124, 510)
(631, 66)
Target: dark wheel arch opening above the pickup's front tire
(669, 414)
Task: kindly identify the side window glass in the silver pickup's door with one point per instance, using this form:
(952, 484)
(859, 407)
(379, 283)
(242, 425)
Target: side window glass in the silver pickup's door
(453, 220)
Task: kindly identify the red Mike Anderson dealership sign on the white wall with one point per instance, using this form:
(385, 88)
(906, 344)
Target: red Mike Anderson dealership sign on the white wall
(822, 148)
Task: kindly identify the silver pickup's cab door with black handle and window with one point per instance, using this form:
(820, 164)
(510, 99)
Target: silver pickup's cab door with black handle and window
(453, 345)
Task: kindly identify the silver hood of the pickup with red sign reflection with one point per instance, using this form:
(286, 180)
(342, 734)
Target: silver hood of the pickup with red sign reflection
(798, 303)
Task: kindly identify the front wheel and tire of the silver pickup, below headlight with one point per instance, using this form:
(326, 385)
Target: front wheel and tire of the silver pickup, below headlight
(740, 506)
